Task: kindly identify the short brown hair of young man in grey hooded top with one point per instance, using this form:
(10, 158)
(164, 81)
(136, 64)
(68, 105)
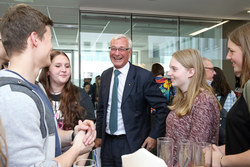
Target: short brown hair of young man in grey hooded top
(18, 23)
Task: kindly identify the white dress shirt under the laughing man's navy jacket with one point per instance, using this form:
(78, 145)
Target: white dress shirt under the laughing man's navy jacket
(122, 79)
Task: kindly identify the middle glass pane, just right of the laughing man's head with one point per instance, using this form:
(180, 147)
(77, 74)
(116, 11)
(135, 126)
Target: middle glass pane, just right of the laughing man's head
(154, 40)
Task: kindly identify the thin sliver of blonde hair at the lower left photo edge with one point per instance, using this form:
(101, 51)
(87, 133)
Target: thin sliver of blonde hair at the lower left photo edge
(3, 146)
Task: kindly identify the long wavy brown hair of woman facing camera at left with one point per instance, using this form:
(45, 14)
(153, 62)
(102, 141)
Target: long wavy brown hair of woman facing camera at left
(70, 106)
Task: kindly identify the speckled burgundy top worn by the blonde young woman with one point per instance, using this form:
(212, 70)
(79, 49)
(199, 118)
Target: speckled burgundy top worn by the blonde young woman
(201, 124)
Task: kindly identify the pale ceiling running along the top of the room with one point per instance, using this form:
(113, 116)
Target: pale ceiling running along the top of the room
(66, 11)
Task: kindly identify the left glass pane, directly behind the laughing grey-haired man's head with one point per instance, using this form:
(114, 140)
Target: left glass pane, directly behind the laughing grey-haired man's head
(95, 35)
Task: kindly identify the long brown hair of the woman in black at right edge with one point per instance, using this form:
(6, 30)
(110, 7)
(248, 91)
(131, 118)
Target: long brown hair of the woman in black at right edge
(241, 37)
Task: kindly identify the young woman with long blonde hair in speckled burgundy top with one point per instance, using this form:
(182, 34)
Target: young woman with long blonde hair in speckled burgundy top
(195, 111)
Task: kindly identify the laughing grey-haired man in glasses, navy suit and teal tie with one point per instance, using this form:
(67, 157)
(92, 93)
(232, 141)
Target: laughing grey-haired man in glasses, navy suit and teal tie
(123, 115)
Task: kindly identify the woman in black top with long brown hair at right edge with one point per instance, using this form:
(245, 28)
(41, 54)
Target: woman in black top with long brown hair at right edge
(236, 152)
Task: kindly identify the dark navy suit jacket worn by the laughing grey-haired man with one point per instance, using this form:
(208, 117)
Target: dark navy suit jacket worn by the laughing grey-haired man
(140, 93)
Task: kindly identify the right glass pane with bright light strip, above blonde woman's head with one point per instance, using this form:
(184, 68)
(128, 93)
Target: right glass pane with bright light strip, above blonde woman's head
(209, 42)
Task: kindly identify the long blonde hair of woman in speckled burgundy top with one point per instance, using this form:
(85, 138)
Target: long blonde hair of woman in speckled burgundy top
(190, 58)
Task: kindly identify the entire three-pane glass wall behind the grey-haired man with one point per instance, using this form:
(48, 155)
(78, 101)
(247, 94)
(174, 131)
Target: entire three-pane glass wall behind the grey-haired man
(154, 38)
